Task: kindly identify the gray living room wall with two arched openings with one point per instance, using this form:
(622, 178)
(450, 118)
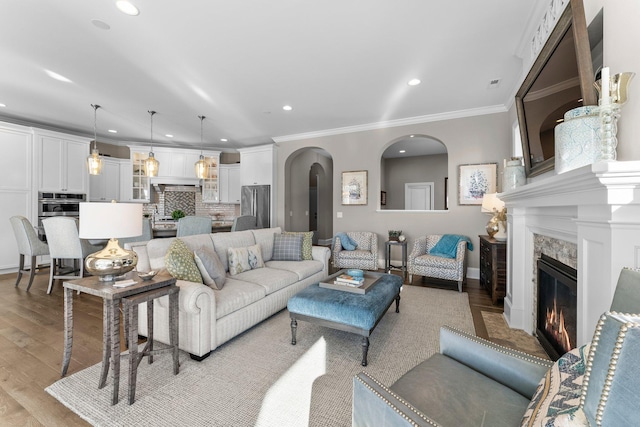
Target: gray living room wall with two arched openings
(478, 139)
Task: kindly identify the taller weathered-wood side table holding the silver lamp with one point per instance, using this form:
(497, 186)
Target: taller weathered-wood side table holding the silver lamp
(111, 297)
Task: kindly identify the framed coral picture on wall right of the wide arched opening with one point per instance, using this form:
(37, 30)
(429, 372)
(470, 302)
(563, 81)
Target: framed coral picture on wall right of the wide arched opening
(476, 180)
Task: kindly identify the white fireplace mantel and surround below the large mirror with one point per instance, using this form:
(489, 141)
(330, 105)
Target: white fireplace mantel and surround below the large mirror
(595, 207)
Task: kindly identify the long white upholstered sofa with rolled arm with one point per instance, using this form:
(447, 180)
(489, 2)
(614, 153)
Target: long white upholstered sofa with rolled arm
(209, 317)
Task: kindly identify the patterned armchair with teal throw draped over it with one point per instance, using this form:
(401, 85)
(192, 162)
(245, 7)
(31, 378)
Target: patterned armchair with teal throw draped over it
(423, 263)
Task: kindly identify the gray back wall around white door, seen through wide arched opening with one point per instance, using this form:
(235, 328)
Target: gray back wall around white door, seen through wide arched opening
(398, 171)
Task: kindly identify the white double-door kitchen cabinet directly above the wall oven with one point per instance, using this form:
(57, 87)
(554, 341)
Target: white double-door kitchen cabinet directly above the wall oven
(62, 163)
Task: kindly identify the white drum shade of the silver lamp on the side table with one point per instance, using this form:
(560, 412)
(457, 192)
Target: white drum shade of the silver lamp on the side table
(110, 220)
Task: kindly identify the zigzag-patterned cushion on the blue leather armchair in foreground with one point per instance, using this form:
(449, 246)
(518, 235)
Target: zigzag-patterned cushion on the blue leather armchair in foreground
(558, 394)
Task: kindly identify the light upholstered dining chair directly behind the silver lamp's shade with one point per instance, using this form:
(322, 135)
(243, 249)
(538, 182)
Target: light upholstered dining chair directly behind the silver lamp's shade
(64, 244)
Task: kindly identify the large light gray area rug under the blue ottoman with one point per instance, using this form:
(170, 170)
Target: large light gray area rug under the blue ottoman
(260, 379)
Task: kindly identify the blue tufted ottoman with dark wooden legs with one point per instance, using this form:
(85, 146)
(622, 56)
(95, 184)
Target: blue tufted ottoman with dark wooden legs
(346, 311)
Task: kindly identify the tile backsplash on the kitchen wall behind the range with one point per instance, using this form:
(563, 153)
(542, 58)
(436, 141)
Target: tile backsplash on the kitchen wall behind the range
(188, 199)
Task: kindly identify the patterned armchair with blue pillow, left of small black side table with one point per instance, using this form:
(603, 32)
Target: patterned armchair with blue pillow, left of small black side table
(365, 254)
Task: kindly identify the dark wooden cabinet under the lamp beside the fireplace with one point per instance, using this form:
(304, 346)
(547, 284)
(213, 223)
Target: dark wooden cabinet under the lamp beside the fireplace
(493, 267)
